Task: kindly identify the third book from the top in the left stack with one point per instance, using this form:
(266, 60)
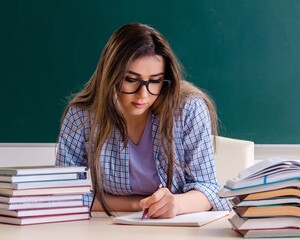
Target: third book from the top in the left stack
(46, 184)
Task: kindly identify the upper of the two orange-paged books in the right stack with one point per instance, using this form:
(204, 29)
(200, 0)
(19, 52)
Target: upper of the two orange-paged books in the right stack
(283, 192)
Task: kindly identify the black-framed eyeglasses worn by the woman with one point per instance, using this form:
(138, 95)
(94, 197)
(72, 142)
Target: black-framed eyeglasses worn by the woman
(154, 87)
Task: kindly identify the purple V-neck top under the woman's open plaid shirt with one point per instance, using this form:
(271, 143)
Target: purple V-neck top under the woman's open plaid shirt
(144, 179)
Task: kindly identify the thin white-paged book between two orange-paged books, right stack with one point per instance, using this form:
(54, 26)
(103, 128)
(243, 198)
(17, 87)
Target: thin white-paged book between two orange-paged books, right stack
(239, 202)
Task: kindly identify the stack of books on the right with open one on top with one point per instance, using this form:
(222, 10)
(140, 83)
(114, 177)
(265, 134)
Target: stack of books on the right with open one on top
(265, 199)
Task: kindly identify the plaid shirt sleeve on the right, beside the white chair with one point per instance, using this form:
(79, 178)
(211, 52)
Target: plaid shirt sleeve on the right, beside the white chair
(199, 153)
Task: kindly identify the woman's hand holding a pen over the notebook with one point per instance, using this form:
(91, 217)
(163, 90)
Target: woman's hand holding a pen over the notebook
(161, 204)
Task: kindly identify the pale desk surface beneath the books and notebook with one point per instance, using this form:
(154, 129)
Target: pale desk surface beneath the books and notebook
(102, 228)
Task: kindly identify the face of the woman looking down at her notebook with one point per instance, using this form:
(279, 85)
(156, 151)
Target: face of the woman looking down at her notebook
(139, 103)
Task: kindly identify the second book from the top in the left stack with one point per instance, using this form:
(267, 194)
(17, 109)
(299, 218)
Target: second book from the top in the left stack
(39, 177)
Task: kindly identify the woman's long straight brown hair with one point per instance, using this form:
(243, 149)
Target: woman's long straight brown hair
(99, 96)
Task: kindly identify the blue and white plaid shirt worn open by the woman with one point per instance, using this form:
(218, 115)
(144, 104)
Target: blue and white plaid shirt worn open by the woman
(194, 156)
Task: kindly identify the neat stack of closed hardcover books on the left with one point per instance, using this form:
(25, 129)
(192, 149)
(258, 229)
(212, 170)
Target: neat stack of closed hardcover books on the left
(32, 195)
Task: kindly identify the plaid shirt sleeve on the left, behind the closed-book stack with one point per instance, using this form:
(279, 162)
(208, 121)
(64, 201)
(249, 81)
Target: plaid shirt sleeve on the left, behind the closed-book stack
(72, 143)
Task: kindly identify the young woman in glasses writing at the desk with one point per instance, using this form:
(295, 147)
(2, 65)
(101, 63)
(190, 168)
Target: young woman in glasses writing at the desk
(137, 125)
